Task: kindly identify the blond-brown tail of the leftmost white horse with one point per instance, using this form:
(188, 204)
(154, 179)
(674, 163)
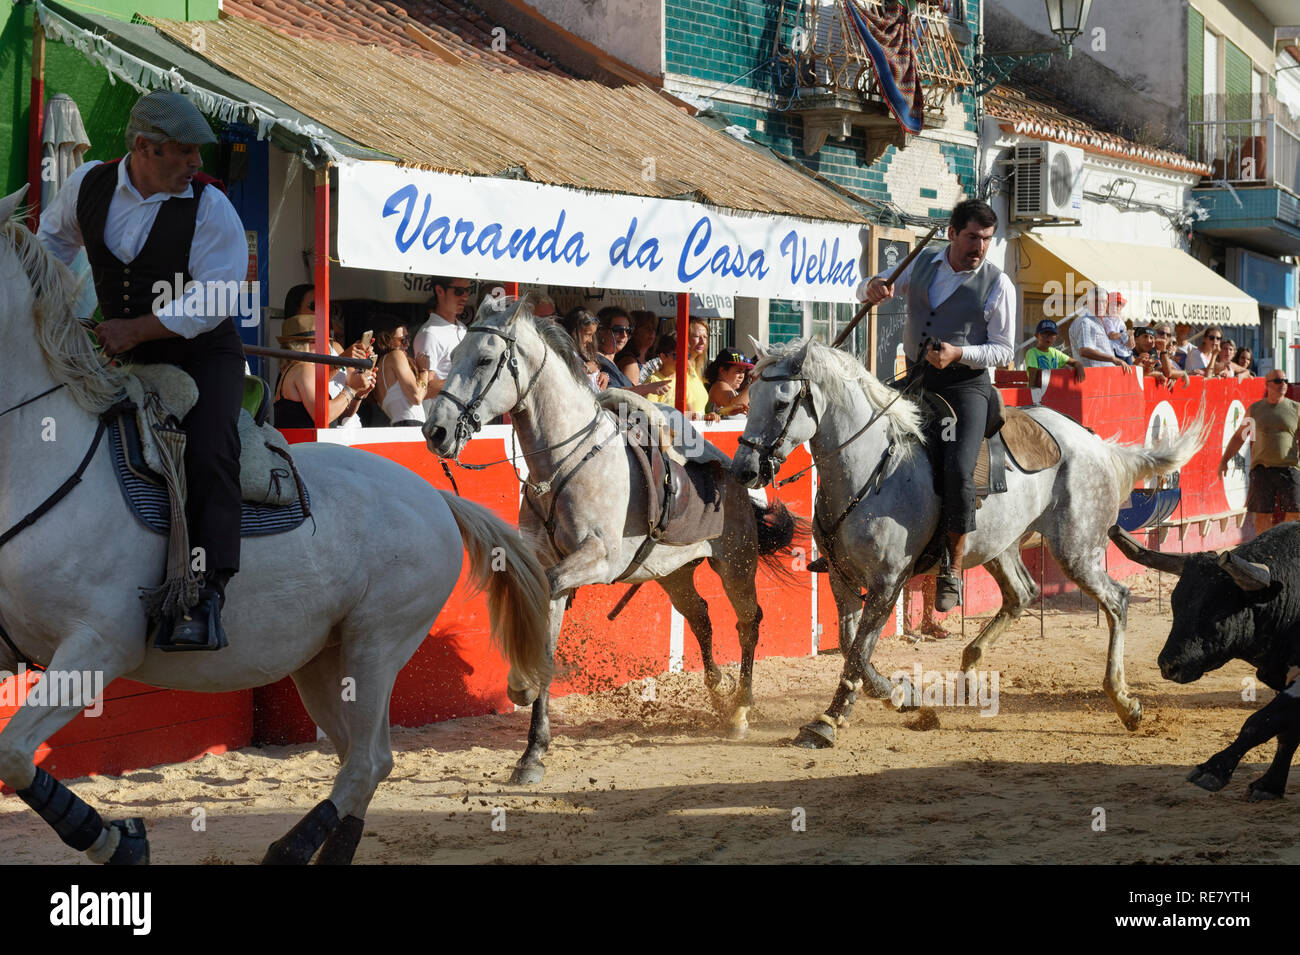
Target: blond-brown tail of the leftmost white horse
(518, 596)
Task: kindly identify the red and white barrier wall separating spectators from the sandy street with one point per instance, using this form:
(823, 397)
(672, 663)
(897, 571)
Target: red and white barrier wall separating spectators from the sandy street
(457, 674)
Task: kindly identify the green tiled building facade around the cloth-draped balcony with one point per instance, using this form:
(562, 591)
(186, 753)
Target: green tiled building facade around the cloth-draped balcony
(730, 44)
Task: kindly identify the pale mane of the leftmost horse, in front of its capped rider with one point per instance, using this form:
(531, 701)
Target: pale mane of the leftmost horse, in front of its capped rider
(67, 348)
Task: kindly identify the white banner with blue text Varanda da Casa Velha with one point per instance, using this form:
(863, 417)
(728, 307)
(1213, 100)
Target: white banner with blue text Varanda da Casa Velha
(414, 222)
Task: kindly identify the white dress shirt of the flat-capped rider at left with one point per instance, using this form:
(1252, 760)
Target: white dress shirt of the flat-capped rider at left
(219, 255)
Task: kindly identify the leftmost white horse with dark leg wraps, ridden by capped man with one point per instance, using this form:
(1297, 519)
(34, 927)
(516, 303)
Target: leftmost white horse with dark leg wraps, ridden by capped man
(340, 604)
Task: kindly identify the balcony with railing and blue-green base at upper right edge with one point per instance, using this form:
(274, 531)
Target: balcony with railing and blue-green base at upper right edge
(1253, 196)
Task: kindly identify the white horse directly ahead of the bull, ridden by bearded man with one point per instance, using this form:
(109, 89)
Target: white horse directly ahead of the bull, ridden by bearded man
(877, 509)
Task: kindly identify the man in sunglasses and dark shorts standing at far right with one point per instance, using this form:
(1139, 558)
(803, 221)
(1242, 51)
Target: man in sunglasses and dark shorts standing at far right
(1272, 426)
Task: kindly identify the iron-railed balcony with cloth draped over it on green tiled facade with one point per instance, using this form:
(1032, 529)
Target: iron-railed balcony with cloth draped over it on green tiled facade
(834, 86)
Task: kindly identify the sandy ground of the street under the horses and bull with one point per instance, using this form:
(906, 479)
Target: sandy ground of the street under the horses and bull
(1052, 778)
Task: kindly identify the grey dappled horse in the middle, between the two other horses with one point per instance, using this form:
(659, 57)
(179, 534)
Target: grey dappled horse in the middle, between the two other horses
(584, 477)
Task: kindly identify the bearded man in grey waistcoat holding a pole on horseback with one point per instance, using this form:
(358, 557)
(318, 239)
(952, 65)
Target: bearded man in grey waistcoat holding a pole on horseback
(961, 318)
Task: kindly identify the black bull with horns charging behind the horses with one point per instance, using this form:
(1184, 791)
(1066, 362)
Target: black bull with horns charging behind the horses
(1242, 605)
